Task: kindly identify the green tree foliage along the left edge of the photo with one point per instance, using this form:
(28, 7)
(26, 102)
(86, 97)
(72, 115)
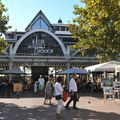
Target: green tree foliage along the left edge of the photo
(3, 26)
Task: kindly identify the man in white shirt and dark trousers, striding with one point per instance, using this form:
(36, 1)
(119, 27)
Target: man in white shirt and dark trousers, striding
(73, 92)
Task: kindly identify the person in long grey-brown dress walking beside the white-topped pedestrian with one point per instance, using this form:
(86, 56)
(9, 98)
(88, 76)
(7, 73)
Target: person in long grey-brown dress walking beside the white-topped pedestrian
(48, 91)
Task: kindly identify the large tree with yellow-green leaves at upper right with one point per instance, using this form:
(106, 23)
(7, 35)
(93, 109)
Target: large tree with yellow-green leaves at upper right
(97, 28)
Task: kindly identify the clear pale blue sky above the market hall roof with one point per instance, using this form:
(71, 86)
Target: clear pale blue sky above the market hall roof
(21, 12)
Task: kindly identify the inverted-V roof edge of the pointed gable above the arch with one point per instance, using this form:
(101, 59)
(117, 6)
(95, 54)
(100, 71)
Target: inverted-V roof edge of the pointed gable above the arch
(40, 14)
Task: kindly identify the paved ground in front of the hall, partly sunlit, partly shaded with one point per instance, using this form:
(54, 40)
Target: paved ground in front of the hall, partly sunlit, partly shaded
(33, 109)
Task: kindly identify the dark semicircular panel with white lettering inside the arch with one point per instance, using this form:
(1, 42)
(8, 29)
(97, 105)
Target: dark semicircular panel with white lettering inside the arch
(40, 43)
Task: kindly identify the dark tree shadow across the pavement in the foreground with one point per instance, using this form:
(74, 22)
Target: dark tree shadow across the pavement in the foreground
(13, 112)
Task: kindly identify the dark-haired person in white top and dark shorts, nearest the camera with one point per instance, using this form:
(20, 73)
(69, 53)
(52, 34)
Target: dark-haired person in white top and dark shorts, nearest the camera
(58, 93)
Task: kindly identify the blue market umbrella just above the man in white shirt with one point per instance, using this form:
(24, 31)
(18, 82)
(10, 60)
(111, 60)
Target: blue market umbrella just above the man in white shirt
(72, 71)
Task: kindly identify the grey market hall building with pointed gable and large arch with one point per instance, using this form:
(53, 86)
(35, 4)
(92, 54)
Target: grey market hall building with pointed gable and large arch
(41, 46)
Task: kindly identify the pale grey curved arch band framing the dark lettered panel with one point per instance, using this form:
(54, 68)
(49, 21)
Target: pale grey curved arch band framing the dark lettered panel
(39, 30)
